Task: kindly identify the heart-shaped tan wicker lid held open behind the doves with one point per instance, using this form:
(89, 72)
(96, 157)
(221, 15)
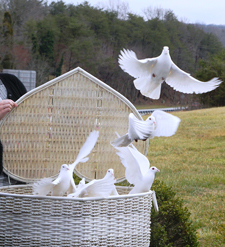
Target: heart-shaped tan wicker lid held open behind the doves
(52, 122)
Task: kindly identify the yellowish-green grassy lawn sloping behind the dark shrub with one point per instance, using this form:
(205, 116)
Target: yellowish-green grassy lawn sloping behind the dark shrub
(192, 162)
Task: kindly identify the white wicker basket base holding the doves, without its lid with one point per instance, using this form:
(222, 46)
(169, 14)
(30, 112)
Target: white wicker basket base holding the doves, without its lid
(33, 221)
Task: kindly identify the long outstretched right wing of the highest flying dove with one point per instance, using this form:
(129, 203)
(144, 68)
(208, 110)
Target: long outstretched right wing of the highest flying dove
(185, 83)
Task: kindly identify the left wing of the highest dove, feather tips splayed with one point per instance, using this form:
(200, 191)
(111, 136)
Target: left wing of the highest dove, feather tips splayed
(137, 68)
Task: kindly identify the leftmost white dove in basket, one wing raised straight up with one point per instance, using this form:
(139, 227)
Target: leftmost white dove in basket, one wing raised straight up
(64, 183)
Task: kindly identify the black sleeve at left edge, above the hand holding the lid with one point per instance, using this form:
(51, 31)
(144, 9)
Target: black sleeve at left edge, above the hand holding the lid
(15, 88)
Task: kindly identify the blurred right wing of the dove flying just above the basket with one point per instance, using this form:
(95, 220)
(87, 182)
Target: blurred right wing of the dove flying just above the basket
(166, 123)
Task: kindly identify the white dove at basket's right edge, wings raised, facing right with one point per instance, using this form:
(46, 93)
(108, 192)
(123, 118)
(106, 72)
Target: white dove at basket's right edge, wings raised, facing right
(138, 171)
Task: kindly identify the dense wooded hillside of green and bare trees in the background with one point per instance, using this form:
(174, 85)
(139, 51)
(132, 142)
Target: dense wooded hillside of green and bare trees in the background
(53, 39)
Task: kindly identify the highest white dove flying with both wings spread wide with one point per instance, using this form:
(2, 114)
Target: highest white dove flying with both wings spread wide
(150, 73)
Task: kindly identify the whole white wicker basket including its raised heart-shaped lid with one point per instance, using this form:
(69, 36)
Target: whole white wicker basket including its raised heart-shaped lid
(46, 130)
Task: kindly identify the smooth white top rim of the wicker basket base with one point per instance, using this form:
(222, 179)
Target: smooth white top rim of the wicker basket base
(71, 199)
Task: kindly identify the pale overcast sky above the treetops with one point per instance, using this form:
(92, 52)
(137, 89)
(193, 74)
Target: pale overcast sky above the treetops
(190, 11)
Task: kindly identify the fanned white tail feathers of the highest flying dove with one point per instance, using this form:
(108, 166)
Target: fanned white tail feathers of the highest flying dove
(147, 87)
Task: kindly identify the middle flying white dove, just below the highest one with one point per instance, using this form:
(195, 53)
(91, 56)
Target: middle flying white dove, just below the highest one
(160, 123)
